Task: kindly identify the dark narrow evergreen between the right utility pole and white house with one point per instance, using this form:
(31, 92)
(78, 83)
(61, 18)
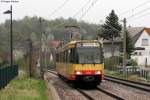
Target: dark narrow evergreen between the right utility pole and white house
(129, 45)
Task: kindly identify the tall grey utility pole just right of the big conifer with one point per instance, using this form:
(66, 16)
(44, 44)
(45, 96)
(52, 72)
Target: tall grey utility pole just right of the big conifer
(124, 42)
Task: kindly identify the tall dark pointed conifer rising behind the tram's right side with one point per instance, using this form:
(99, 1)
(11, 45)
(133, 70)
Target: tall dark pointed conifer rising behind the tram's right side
(111, 28)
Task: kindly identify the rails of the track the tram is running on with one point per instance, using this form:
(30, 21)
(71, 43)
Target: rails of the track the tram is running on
(87, 96)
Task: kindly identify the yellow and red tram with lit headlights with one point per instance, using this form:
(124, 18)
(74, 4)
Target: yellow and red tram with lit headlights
(81, 61)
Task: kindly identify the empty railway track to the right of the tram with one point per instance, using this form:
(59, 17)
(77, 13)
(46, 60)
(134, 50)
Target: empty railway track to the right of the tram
(133, 84)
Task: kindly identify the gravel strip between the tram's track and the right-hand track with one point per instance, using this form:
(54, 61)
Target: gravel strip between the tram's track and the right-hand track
(124, 91)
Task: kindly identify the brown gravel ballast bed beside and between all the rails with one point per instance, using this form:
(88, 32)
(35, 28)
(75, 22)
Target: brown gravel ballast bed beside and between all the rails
(66, 92)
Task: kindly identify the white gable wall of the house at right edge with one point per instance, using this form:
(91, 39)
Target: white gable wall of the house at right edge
(142, 55)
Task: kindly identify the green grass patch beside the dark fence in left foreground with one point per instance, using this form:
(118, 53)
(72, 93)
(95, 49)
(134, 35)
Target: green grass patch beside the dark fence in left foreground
(24, 88)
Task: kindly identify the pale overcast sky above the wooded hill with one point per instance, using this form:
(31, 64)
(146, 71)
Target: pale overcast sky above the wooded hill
(137, 12)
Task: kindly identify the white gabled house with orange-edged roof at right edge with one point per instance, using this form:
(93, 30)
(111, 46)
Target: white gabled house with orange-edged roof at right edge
(141, 41)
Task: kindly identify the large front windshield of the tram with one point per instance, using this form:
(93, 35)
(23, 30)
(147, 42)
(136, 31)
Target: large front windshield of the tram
(89, 55)
